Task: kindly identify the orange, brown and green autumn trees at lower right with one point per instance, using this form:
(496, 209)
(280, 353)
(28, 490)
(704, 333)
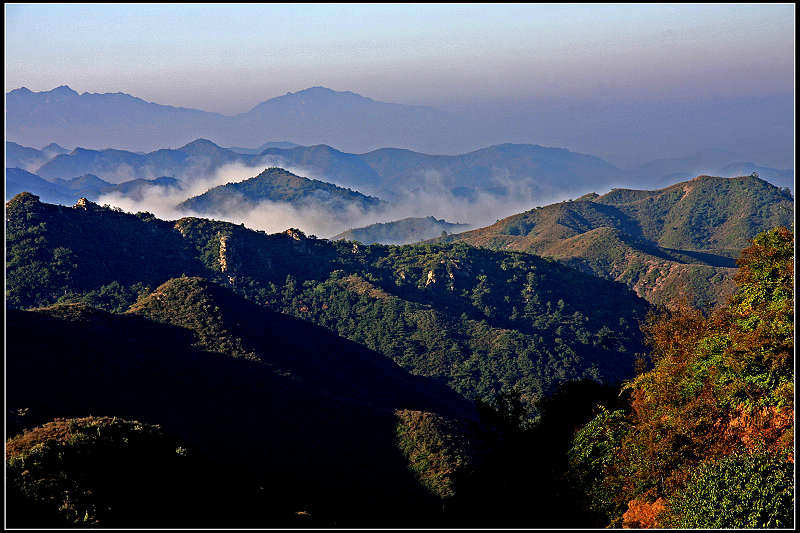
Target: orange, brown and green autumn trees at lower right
(721, 389)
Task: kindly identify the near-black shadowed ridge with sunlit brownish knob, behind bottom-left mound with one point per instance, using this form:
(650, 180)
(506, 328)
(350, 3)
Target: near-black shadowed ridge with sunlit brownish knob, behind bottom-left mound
(284, 401)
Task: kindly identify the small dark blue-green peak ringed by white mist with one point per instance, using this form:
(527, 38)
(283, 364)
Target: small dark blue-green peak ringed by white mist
(279, 185)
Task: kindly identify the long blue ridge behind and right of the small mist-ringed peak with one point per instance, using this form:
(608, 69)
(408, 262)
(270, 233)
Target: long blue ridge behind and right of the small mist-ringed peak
(519, 170)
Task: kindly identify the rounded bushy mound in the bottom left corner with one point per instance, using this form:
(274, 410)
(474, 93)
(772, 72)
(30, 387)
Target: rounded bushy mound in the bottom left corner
(103, 471)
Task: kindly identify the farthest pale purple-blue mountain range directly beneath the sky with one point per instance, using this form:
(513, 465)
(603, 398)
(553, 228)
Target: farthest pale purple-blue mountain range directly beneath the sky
(354, 123)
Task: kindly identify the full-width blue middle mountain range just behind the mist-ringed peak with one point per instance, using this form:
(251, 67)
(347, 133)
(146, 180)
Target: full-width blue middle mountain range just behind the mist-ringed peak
(521, 173)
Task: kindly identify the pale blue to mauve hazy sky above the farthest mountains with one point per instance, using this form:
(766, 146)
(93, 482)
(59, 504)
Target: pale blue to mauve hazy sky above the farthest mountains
(227, 58)
